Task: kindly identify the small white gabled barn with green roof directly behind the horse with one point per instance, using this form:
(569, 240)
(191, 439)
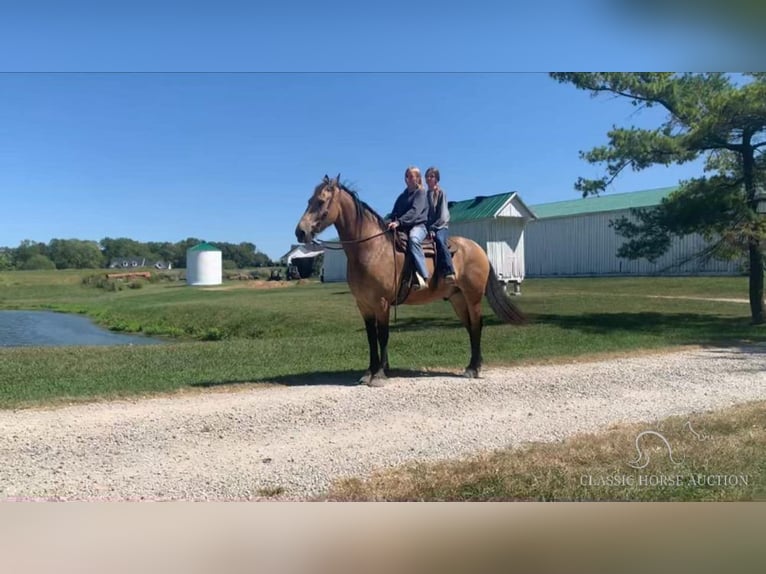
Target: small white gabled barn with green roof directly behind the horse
(496, 222)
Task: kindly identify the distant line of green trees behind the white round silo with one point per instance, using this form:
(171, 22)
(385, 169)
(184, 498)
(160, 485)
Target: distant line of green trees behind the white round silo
(84, 254)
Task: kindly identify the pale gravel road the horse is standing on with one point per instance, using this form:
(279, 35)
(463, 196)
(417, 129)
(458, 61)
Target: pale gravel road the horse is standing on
(244, 444)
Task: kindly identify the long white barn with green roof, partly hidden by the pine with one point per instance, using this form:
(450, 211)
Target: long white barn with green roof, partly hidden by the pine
(573, 238)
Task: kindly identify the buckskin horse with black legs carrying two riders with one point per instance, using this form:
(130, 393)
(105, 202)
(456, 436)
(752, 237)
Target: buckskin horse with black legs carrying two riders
(373, 266)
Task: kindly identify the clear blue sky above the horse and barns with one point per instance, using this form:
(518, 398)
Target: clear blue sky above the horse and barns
(160, 124)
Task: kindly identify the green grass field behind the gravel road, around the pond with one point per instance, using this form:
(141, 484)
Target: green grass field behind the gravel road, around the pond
(311, 333)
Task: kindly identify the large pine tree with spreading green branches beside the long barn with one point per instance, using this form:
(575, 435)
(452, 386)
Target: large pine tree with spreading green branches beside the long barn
(716, 116)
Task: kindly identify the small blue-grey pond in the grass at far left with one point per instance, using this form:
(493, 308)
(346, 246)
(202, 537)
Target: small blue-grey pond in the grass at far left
(48, 329)
